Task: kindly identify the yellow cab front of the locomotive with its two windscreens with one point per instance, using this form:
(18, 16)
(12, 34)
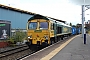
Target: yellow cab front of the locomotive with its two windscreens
(38, 31)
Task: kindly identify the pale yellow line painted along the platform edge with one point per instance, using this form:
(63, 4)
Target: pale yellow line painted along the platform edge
(54, 52)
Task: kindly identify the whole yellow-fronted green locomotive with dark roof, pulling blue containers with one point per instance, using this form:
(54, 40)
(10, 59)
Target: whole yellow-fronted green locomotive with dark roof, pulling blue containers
(42, 30)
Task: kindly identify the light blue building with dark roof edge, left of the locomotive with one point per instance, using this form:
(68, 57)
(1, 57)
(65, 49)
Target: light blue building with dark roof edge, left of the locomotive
(17, 17)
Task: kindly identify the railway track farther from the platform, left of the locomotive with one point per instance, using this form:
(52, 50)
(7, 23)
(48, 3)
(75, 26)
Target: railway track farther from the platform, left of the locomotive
(13, 51)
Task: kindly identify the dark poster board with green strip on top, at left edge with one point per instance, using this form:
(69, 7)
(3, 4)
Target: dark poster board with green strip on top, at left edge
(5, 29)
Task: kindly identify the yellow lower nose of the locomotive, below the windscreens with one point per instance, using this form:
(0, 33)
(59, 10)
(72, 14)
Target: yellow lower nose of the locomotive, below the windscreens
(38, 36)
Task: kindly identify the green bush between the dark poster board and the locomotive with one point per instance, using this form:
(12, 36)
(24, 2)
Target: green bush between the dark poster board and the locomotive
(19, 36)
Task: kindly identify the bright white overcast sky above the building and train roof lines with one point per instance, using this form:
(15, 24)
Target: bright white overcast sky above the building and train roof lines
(67, 10)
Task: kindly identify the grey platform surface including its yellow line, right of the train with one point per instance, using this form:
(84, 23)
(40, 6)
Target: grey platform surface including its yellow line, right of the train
(73, 49)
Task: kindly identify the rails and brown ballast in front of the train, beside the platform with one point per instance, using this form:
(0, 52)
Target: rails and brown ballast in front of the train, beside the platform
(21, 52)
